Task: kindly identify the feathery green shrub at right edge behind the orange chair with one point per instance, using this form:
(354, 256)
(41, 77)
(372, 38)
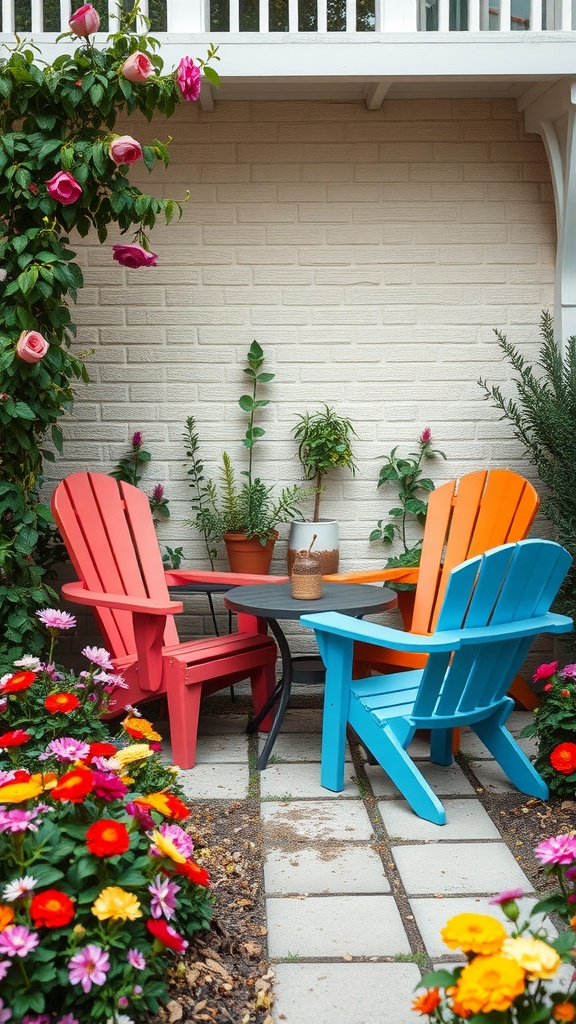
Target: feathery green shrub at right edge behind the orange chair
(544, 418)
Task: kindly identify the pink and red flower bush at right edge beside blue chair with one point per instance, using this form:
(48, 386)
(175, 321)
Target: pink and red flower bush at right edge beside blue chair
(555, 728)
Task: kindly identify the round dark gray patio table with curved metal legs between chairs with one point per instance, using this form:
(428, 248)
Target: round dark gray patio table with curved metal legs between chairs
(275, 602)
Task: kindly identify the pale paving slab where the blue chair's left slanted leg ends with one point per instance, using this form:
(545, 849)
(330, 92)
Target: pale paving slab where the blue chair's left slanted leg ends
(466, 820)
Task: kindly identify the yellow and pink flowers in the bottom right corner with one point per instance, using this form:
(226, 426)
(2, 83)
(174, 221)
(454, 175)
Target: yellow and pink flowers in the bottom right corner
(507, 974)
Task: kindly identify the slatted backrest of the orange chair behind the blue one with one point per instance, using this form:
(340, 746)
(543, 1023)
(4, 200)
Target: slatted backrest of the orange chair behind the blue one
(467, 518)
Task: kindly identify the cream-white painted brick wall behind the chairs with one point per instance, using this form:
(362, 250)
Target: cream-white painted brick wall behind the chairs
(371, 253)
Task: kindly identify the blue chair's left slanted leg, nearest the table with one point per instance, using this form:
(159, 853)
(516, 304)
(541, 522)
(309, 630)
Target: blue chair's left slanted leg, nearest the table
(399, 765)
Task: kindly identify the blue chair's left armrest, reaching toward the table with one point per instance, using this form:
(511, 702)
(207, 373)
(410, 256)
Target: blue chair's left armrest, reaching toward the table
(382, 636)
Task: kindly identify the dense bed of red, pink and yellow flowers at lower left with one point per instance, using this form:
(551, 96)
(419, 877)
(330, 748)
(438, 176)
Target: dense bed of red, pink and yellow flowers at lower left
(98, 882)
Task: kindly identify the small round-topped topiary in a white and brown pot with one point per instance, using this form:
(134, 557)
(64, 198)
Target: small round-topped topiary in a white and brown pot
(324, 445)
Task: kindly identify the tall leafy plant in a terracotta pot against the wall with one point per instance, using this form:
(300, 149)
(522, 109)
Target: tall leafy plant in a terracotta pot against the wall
(243, 515)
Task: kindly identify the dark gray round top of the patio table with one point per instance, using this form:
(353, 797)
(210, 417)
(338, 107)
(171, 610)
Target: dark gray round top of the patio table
(276, 602)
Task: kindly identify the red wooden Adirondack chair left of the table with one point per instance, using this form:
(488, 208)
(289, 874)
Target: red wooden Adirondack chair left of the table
(109, 533)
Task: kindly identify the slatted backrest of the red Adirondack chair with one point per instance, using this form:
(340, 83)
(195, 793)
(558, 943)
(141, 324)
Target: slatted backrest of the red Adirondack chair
(109, 533)
